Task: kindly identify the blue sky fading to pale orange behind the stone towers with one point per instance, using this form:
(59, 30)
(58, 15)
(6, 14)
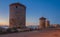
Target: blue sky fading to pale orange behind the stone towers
(35, 9)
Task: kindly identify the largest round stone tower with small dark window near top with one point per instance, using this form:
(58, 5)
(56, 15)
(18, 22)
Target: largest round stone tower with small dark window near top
(17, 15)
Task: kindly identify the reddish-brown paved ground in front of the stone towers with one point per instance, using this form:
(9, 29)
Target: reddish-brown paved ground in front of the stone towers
(44, 33)
